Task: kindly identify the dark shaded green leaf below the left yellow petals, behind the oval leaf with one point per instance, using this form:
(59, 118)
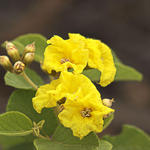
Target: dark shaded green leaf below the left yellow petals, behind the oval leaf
(21, 100)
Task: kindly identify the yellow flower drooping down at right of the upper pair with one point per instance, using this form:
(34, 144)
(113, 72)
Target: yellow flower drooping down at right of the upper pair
(100, 57)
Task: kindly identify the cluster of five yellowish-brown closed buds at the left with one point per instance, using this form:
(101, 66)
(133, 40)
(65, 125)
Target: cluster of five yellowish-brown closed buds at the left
(18, 63)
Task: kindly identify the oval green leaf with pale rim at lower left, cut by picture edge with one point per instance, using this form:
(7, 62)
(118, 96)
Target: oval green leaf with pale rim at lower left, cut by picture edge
(15, 124)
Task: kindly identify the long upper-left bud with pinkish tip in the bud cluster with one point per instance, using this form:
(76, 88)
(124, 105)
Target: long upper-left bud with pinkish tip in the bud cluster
(12, 51)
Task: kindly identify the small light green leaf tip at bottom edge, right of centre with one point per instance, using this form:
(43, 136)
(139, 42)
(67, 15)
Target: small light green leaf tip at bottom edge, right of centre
(104, 145)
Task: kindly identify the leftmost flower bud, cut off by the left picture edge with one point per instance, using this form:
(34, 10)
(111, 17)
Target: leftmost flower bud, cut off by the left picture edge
(5, 62)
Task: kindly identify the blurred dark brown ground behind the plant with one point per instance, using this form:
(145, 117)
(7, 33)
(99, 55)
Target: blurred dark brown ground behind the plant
(123, 24)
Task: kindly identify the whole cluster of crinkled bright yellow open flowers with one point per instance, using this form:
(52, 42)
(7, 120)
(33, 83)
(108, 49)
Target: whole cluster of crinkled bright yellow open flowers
(77, 100)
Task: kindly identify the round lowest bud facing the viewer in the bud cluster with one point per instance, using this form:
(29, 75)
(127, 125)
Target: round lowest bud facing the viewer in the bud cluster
(19, 67)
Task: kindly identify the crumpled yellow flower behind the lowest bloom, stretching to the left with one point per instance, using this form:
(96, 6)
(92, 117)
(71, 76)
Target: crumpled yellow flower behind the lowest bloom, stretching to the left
(68, 85)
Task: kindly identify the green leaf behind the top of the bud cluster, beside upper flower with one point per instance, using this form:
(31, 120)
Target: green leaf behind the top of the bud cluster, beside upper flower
(40, 44)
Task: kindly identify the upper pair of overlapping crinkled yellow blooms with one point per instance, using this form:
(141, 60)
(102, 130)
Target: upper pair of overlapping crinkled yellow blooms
(77, 52)
